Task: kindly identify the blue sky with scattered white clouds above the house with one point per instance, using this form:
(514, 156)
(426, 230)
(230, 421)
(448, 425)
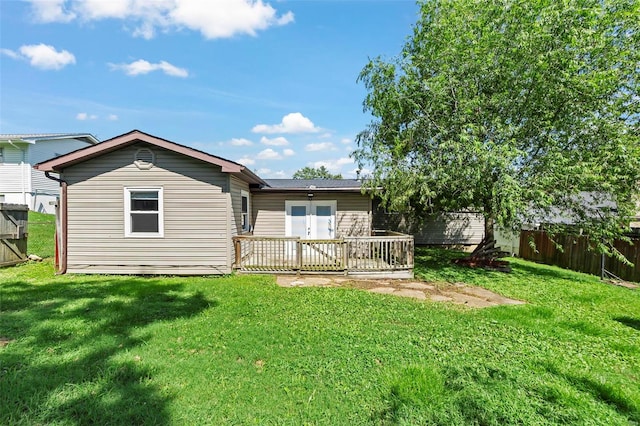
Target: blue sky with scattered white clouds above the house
(270, 84)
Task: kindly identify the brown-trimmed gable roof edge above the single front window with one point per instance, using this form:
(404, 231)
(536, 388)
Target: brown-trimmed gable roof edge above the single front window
(75, 157)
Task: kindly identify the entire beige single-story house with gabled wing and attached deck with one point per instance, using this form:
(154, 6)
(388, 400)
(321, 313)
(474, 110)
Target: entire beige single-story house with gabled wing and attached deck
(139, 204)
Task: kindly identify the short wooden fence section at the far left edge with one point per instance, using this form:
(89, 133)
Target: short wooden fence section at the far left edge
(13, 233)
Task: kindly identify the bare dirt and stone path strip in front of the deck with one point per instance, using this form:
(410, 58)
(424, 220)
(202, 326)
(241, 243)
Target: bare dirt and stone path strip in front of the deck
(458, 293)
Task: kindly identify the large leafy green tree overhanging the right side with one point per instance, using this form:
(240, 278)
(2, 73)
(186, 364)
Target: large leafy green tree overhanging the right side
(522, 109)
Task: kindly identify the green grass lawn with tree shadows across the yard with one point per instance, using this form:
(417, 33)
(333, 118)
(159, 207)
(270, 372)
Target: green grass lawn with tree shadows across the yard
(240, 350)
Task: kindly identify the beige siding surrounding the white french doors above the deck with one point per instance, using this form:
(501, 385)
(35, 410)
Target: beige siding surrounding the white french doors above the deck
(353, 212)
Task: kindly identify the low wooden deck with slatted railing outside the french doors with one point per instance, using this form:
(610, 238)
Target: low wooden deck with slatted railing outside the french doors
(389, 254)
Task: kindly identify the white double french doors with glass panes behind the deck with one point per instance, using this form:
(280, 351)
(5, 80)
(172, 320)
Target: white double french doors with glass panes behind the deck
(311, 219)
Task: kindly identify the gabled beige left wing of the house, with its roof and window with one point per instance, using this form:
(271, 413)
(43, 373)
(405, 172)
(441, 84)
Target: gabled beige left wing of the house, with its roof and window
(139, 204)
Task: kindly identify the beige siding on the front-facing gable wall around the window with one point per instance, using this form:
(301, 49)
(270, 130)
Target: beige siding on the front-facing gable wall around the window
(196, 235)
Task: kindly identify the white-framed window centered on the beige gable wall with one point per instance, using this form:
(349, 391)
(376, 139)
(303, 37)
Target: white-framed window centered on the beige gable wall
(143, 212)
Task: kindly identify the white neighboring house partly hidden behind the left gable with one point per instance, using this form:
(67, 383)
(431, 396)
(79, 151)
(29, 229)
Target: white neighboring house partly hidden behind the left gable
(19, 182)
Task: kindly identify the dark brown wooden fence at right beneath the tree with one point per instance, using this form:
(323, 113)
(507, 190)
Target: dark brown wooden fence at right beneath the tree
(577, 256)
